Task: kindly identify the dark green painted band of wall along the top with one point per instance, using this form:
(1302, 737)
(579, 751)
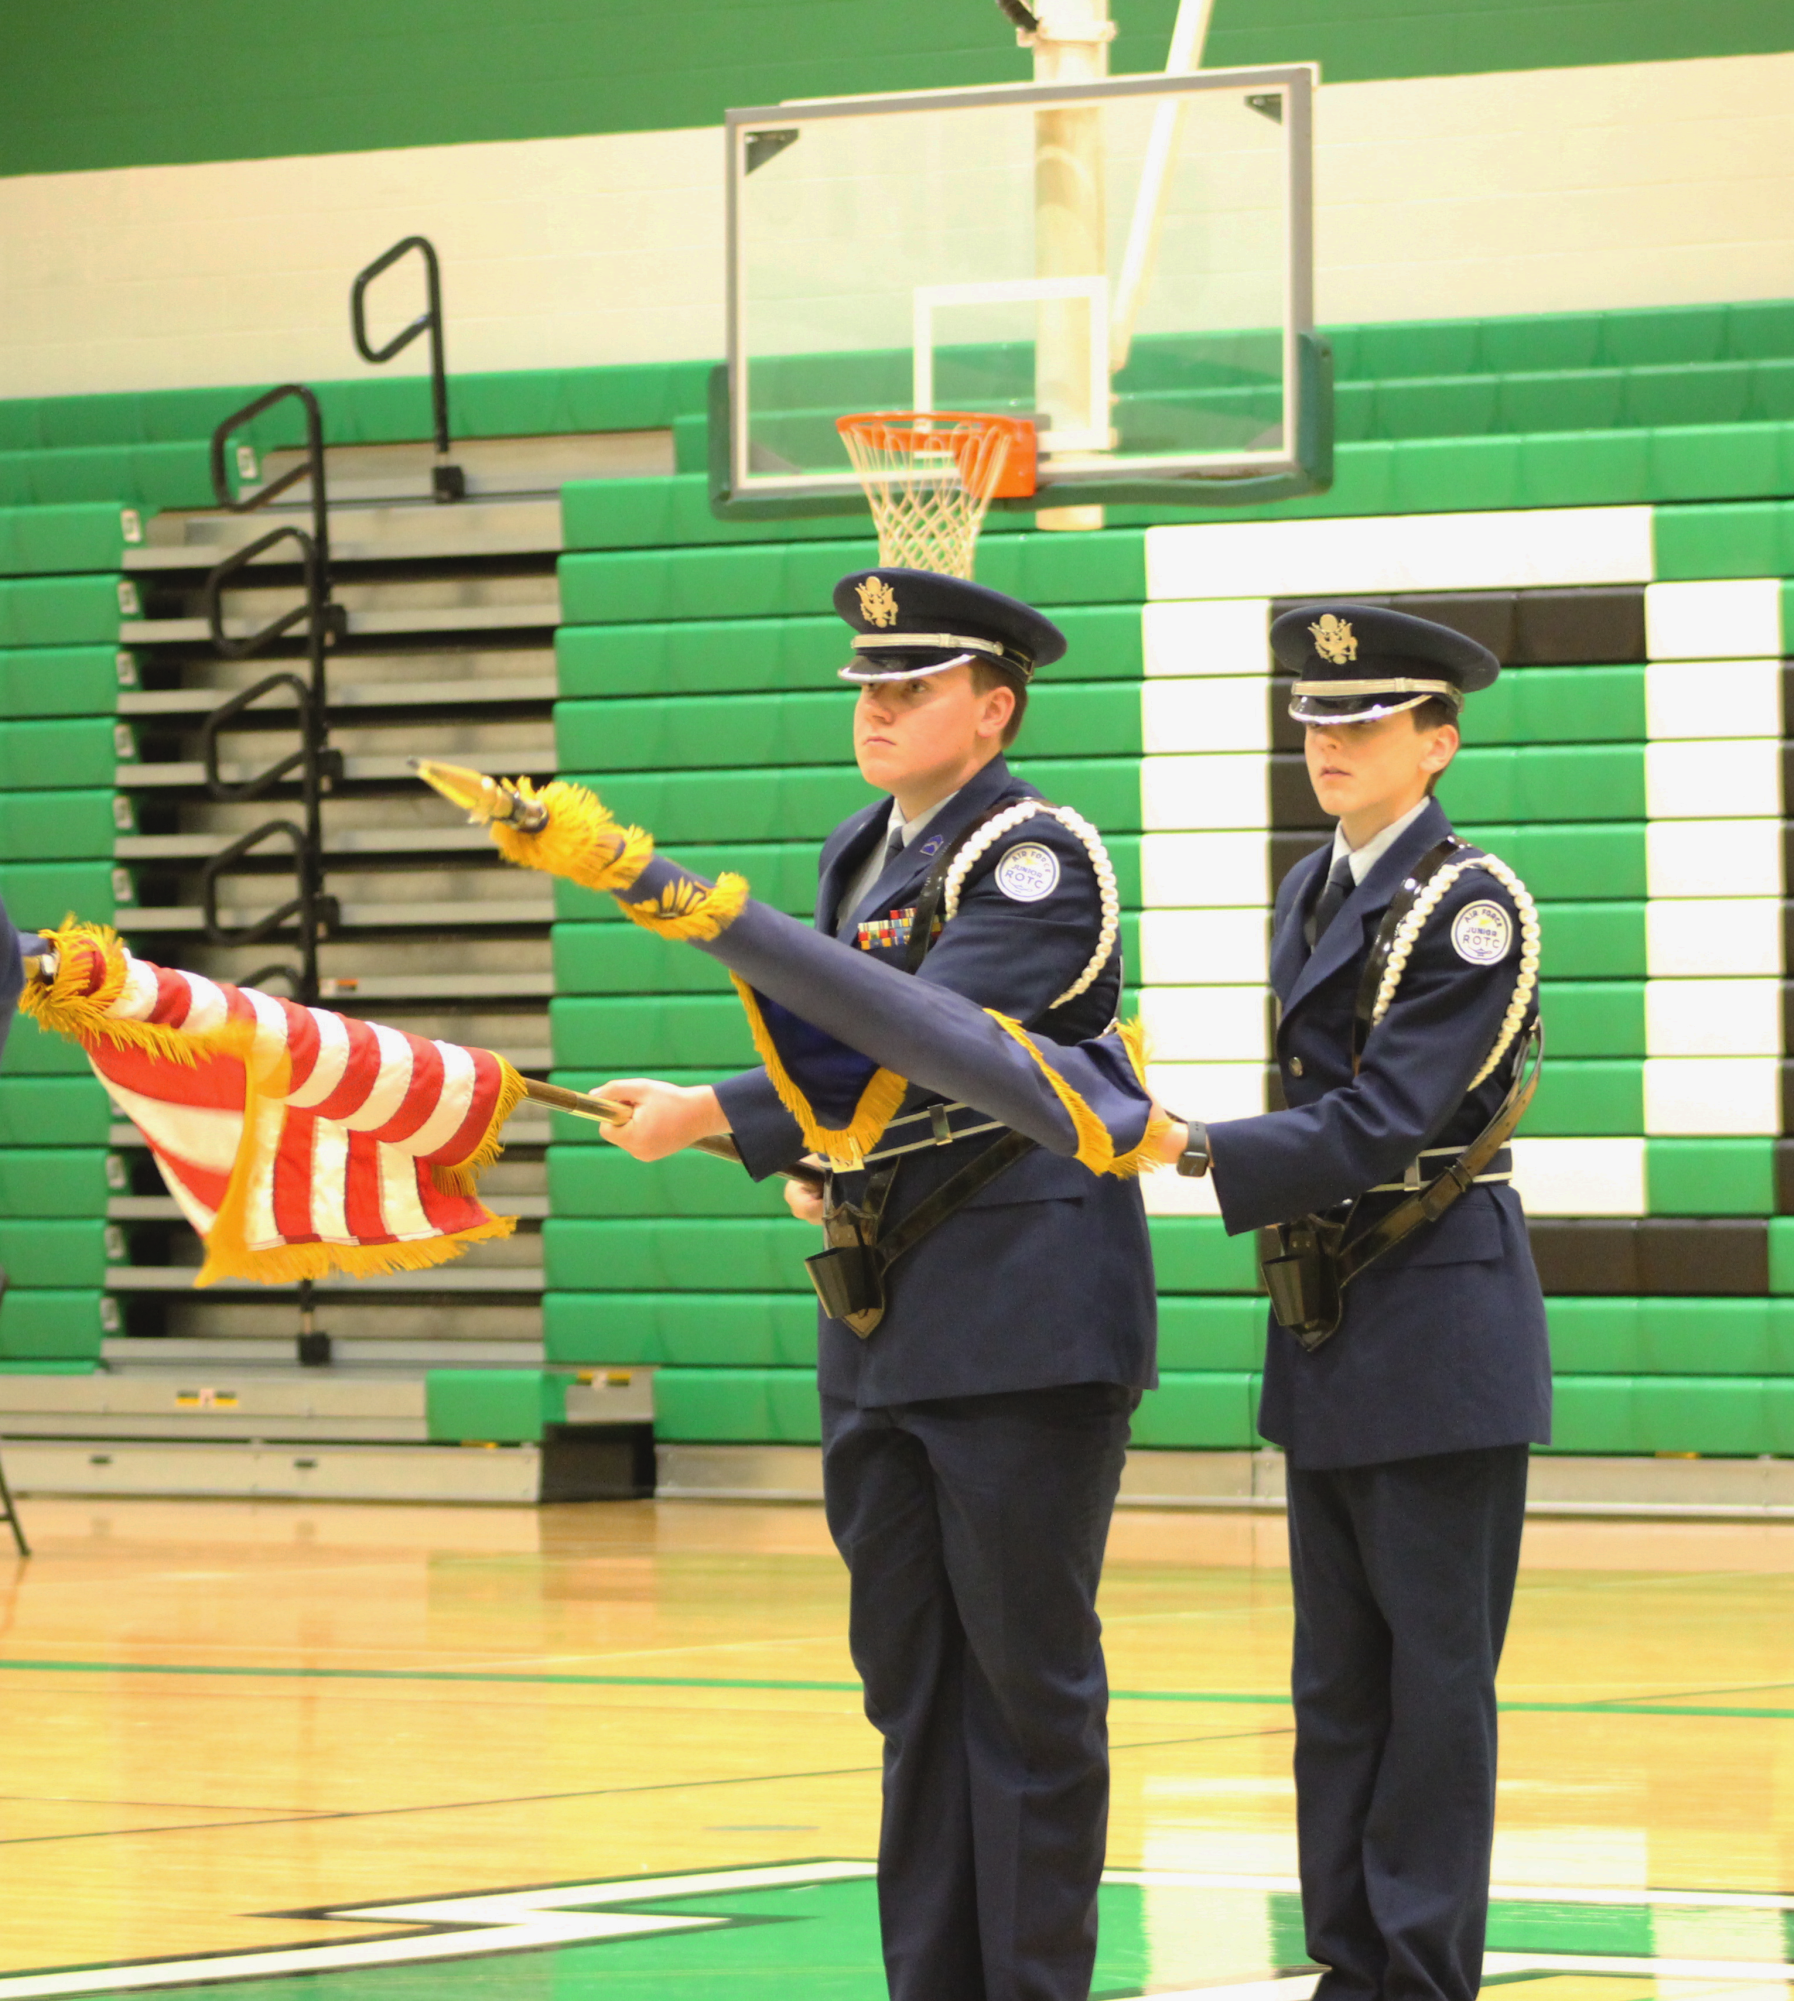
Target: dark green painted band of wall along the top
(159, 81)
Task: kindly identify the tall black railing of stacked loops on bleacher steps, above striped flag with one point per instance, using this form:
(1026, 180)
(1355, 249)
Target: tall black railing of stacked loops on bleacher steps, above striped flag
(315, 763)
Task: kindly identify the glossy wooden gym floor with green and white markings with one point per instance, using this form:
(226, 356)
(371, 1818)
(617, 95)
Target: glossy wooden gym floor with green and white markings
(405, 1754)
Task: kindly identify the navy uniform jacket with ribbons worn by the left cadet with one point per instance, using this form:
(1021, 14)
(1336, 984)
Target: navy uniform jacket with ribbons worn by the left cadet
(1047, 1276)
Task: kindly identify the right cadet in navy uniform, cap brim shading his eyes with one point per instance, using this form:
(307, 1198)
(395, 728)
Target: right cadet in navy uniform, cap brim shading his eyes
(1407, 1432)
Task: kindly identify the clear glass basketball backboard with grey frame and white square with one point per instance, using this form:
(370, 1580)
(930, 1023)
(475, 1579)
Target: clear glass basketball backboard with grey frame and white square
(1127, 261)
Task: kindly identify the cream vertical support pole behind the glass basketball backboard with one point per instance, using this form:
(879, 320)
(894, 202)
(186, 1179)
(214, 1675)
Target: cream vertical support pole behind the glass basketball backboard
(1071, 47)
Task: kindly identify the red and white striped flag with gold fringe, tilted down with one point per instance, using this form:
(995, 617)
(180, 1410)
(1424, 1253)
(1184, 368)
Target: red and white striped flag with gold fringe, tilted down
(297, 1142)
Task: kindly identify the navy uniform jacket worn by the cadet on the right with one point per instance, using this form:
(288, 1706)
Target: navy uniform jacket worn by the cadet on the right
(1443, 1342)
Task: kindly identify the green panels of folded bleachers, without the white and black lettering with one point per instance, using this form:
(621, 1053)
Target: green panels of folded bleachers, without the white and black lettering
(697, 691)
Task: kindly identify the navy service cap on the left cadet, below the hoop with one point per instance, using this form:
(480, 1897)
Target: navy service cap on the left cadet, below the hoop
(911, 623)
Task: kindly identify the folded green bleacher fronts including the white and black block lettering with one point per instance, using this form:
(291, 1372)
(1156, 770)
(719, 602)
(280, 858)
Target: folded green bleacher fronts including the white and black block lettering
(1609, 499)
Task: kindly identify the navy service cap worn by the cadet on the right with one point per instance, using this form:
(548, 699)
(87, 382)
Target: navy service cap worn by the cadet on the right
(1355, 663)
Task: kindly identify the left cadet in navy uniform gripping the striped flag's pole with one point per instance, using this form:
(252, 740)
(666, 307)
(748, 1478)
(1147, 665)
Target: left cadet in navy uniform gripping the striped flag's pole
(975, 1442)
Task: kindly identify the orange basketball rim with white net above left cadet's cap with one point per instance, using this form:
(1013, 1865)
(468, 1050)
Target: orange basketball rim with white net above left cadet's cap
(931, 475)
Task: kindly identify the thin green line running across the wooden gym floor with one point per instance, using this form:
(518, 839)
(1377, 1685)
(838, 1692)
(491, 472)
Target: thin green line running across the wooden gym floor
(1615, 1706)
